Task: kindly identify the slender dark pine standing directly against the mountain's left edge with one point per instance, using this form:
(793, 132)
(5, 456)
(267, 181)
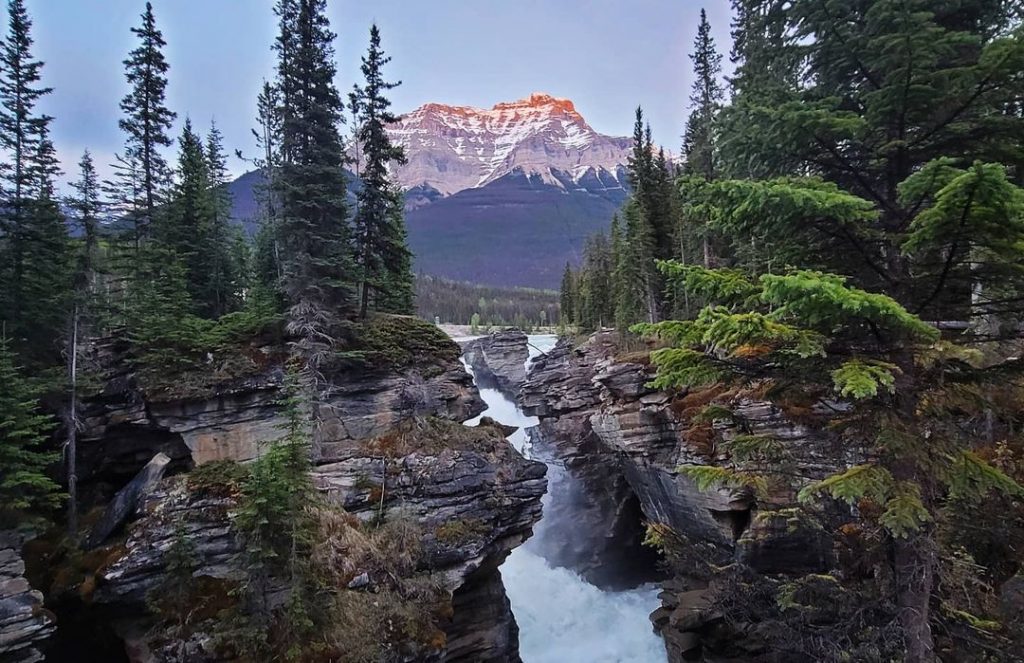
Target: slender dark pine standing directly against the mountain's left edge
(382, 256)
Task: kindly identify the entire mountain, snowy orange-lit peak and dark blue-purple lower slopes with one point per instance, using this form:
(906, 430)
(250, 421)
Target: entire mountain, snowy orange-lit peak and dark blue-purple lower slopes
(504, 196)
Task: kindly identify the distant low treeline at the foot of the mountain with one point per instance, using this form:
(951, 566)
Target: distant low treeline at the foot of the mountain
(457, 303)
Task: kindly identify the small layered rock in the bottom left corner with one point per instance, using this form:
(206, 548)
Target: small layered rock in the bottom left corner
(25, 625)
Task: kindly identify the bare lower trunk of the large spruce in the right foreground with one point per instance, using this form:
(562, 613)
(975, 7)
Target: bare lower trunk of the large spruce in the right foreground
(915, 566)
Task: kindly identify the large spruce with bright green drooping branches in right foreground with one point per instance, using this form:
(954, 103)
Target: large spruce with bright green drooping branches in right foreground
(899, 146)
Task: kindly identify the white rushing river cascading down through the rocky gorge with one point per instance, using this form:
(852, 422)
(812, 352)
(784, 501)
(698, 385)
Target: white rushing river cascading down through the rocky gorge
(563, 618)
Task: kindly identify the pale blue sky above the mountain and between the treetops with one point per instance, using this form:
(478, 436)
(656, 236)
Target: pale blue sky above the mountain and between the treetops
(607, 56)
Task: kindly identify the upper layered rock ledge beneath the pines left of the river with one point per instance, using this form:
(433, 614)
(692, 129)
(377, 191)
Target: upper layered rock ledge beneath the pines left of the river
(125, 427)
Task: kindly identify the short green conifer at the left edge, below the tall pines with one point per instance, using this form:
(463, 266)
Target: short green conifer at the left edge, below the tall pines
(25, 487)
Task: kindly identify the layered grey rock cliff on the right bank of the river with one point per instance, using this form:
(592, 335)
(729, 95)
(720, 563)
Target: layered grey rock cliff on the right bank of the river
(625, 441)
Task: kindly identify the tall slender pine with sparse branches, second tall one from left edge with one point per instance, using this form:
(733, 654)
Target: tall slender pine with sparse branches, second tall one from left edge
(146, 123)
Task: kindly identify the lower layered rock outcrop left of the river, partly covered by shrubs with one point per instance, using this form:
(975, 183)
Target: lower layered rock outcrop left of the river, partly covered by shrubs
(472, 505)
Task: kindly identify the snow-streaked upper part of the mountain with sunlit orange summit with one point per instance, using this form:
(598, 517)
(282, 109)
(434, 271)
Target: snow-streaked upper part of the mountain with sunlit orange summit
(455, 148)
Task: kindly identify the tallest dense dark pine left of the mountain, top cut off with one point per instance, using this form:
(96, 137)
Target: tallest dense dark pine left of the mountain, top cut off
(310, 186)
